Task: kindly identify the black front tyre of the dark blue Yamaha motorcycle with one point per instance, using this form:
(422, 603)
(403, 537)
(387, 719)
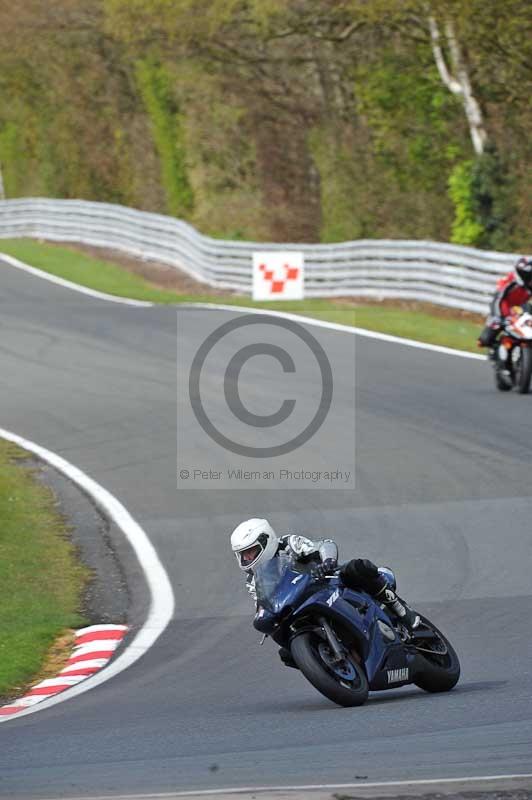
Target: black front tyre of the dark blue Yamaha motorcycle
(311, 665)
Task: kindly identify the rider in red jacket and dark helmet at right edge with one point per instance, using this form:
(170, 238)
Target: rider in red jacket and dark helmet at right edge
(515, 289)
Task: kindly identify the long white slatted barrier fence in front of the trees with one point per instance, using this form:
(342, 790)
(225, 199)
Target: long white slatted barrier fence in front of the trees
(449, 275)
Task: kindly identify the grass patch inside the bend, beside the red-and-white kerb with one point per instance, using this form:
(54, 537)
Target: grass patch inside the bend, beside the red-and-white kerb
(41, 580)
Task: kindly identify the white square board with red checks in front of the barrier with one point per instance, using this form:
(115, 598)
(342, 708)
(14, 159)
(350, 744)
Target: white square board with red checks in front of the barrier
(278, 276)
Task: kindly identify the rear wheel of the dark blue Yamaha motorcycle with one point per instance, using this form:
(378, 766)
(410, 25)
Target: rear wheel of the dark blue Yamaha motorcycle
(438, 671)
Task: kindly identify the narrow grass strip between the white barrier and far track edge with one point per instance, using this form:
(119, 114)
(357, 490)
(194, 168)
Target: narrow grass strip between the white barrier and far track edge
(434, 326)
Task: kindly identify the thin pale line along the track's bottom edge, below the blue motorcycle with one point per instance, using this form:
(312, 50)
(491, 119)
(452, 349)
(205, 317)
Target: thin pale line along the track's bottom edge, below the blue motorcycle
(316, 787)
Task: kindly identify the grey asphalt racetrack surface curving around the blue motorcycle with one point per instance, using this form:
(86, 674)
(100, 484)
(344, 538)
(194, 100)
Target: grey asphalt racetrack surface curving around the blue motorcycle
(442, 495)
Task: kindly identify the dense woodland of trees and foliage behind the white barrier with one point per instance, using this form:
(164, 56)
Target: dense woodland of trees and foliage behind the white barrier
(297, 120)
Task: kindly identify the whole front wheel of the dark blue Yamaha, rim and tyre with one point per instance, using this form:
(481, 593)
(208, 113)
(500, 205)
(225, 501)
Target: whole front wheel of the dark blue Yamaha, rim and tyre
(343, 682)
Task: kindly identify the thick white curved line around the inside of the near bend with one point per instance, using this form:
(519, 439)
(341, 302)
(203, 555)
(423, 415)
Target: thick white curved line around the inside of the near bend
(162, 597)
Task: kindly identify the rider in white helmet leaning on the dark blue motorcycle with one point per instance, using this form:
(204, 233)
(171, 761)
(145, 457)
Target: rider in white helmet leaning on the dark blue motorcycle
(255, 542)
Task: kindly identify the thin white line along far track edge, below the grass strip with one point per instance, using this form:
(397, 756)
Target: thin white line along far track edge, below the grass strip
(333, 326)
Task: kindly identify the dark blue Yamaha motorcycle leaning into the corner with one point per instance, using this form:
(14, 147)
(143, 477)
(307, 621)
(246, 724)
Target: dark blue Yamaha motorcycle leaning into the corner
(343, 641)
